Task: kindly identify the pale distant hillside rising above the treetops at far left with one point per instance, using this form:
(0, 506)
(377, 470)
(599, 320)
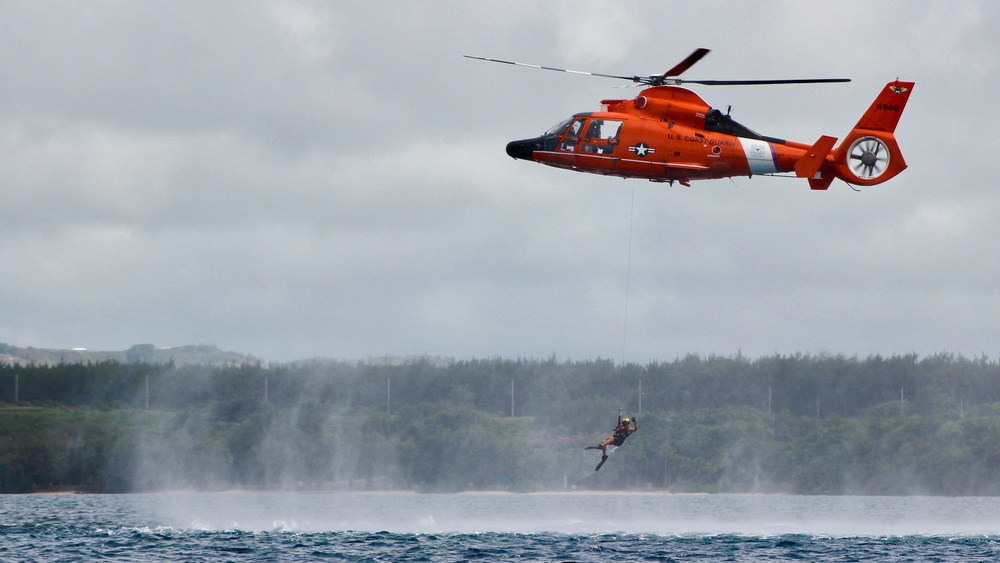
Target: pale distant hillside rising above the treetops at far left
(180, 355)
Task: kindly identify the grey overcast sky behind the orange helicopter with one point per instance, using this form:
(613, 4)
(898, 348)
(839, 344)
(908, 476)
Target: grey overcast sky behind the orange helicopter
(328, 179)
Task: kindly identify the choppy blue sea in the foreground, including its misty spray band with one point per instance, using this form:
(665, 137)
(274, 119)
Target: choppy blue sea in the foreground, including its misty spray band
(273, 526)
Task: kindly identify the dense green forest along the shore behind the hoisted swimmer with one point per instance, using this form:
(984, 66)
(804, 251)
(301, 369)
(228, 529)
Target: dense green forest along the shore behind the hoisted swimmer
(799, 424)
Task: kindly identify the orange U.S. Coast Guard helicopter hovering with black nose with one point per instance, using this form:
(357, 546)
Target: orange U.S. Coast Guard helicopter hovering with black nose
(669, 134)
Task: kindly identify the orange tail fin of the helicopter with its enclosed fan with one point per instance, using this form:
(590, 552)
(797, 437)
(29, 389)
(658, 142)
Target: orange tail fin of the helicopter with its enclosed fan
(869, 154)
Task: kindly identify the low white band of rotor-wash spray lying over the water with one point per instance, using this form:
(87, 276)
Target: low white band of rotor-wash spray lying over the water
(581, 513)
